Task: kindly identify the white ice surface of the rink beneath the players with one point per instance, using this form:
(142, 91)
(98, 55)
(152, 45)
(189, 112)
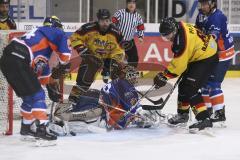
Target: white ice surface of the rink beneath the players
(162, 143)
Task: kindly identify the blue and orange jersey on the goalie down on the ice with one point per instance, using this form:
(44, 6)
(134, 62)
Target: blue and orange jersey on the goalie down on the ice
(121, 95)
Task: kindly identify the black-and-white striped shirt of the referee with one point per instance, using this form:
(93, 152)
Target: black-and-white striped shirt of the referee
(128, 23)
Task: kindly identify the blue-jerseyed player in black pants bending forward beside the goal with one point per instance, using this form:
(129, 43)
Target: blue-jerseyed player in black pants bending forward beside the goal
(25, 63)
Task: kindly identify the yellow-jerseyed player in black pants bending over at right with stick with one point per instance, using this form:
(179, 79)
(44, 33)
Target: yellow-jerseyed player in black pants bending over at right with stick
(195, 57)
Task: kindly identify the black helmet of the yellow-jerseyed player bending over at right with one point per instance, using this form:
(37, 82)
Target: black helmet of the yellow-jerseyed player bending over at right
(167, 26)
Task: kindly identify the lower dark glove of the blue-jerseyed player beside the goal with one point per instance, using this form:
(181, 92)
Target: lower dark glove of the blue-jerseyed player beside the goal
(54, 92)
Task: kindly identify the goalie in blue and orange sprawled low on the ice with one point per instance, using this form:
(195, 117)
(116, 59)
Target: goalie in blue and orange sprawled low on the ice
(117, 104)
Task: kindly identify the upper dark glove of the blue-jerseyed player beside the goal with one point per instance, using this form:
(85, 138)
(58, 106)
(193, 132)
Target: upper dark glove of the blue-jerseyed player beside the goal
(60, 70)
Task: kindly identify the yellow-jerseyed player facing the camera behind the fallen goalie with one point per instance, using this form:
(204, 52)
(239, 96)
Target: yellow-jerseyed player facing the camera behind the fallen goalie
(95, 42)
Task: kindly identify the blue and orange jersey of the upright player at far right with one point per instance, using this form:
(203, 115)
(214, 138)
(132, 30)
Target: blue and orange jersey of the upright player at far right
(216, 25)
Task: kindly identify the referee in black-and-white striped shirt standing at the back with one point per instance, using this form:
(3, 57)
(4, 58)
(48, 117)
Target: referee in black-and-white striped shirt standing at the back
(128, 21)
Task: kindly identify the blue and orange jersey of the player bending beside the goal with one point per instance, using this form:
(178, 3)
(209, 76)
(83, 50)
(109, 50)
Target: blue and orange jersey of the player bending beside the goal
(43, 41)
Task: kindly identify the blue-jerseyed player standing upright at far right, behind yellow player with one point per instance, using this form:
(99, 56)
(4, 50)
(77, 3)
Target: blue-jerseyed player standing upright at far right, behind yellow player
(212, 21)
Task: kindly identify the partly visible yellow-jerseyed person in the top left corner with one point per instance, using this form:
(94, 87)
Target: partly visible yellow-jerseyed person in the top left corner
(6, 22)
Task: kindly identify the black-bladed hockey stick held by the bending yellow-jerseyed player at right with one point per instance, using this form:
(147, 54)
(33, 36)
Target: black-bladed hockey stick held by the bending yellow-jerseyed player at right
(159, 107)
